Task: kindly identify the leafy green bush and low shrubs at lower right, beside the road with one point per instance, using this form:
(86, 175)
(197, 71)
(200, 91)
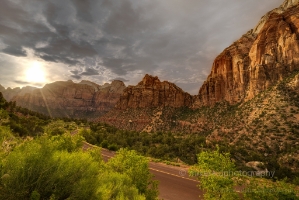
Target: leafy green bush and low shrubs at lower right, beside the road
(220, 179)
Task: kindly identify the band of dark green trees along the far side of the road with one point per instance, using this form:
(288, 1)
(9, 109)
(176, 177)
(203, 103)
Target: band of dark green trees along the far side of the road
(167, 146)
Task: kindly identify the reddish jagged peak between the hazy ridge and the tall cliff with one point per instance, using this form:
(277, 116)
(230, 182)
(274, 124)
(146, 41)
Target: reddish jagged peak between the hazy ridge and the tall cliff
(151, 92)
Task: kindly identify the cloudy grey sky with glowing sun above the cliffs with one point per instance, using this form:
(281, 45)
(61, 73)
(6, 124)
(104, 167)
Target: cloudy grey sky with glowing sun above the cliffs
(105, 40)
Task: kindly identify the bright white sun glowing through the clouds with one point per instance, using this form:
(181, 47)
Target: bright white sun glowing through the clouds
(35, 73)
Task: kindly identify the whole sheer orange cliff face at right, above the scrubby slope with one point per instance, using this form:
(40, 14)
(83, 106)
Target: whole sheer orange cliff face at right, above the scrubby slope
(257, 61)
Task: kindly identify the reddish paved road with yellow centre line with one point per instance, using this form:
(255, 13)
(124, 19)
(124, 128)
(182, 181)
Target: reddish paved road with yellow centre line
(174, 183)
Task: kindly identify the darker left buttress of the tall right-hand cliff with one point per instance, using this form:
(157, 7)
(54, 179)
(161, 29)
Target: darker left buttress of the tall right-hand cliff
(229, 77)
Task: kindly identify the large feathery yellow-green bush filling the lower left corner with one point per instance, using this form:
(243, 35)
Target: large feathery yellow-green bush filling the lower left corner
(49, 167)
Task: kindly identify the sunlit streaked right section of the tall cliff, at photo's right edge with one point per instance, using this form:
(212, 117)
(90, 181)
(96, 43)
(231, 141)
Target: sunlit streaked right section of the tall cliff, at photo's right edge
(275, 52)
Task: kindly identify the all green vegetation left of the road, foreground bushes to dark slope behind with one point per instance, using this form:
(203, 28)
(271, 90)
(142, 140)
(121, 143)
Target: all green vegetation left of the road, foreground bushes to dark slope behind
(49, 163)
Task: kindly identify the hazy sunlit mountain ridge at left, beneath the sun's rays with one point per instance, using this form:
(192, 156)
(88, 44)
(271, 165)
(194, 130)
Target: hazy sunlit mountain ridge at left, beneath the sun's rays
(69, 99)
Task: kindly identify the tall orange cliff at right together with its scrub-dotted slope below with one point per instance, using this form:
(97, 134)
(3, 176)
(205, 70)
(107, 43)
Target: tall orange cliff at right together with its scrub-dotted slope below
(248, 104)
